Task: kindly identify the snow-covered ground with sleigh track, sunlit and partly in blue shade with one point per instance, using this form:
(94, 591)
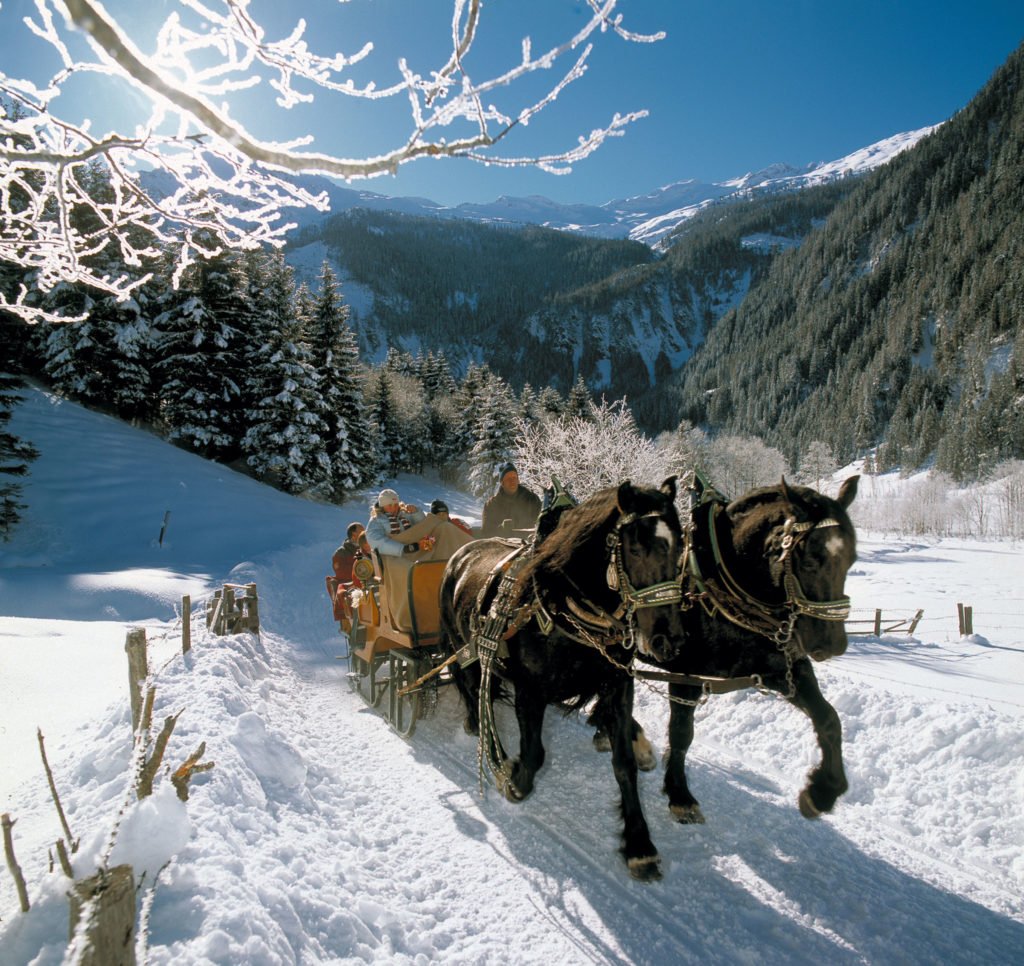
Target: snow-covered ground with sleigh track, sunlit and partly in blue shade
(322, 837)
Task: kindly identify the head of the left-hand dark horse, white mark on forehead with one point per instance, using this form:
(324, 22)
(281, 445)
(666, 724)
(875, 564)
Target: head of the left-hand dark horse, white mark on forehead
(647, 545)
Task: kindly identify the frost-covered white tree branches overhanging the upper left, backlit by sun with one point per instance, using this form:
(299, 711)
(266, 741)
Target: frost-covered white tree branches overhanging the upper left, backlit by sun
(75, 206)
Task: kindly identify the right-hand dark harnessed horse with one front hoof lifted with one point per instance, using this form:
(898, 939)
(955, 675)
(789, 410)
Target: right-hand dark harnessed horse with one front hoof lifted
(764, 596)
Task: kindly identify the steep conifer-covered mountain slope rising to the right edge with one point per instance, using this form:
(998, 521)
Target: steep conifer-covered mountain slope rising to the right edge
(900, 321)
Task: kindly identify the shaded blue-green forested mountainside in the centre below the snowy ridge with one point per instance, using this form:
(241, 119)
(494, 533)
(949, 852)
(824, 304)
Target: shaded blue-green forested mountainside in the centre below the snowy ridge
(546, 307)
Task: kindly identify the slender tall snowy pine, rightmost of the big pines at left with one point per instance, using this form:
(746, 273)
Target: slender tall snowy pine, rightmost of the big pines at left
(342, 406)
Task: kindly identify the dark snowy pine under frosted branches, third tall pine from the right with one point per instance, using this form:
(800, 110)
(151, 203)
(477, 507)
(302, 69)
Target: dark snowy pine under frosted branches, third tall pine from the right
(199, 352)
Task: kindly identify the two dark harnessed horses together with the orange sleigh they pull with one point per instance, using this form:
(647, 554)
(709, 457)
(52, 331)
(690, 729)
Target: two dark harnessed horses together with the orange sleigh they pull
(746, 594)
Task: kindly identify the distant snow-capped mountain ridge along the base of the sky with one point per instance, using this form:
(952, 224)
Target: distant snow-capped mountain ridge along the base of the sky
(646, 219)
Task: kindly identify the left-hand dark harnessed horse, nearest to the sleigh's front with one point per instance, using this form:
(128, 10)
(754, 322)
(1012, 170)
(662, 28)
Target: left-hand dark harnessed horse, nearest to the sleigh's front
(560, 622)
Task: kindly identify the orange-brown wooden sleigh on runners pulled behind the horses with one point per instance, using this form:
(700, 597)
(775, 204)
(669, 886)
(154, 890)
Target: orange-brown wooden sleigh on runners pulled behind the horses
(391, 651)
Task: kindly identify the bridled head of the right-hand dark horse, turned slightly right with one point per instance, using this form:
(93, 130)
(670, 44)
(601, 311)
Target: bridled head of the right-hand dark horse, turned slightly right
(808, 545)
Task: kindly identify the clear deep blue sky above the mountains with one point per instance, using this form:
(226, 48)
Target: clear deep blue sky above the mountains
(737, 85)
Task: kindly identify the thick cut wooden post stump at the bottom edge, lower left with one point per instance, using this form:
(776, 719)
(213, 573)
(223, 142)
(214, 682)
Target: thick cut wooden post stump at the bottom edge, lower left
(109, 939)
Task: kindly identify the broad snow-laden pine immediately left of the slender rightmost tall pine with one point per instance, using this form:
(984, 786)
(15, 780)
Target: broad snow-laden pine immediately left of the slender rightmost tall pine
(286, 441)
